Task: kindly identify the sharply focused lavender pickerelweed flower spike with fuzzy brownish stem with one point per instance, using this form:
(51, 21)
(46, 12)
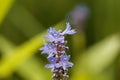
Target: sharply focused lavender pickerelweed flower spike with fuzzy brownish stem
(55, 48)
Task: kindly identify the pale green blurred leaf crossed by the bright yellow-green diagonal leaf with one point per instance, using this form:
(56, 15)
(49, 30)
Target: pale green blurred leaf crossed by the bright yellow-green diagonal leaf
(31, 69)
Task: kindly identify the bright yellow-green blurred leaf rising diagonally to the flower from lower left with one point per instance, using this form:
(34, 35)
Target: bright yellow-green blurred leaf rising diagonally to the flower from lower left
(21, 54)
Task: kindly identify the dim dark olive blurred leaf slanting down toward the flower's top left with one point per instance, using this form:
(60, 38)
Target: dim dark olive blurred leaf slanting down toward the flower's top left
(23, 20)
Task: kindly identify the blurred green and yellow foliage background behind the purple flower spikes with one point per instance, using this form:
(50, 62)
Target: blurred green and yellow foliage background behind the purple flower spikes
(94, 49)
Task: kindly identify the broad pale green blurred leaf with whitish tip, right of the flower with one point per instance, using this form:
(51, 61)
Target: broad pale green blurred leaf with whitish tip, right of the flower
(97, 58)
